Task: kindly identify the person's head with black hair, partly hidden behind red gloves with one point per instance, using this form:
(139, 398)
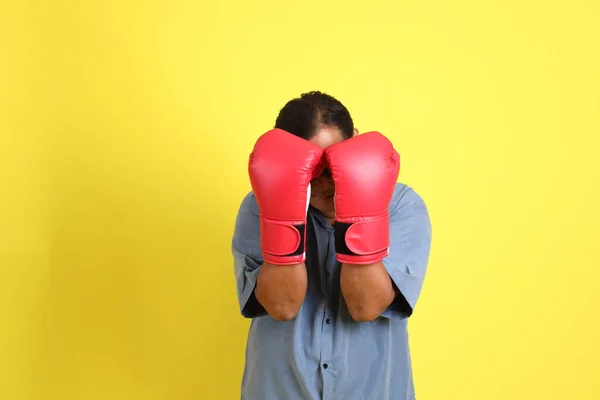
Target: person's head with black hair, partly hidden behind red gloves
(323, 120)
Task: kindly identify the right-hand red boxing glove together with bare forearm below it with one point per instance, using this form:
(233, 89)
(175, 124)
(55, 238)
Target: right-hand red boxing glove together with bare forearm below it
(365, 170)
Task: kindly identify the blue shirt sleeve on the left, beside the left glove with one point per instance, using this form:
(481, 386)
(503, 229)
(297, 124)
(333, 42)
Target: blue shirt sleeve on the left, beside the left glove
(247, 257)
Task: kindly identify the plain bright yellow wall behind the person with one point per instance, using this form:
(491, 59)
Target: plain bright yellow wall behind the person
(125, 130)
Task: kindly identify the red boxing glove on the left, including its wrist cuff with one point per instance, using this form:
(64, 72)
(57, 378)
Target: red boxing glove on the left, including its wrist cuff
(281, 168)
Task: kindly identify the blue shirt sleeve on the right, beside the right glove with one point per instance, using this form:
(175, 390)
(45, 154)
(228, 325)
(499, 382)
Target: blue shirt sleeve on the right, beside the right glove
(410, 243)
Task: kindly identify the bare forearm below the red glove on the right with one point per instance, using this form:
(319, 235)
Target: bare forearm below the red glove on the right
(368, 290)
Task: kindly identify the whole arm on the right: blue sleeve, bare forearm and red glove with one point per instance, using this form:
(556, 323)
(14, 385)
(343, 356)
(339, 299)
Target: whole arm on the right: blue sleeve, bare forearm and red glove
(382, 232)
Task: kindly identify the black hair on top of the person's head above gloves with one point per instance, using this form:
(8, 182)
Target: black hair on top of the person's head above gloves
(305, 115)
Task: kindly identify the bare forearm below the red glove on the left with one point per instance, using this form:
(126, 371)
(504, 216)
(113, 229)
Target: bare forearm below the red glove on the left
(281, 289)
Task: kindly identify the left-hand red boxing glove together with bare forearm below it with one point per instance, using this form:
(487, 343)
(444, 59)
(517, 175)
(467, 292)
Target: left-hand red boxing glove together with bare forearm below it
(281, 167)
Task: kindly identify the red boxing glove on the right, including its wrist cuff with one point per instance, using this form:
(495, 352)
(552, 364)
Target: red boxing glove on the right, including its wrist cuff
(365, 170)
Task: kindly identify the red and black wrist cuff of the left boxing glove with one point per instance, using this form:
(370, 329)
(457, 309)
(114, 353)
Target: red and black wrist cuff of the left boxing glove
(282, 242)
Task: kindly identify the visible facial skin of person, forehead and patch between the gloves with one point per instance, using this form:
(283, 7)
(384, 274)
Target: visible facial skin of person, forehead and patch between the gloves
(323, 188)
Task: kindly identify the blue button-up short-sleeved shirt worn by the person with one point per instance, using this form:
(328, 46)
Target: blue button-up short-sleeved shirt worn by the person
(323, 353)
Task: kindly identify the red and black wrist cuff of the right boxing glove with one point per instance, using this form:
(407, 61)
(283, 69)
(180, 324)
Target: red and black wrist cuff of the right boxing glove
(362, 242)
